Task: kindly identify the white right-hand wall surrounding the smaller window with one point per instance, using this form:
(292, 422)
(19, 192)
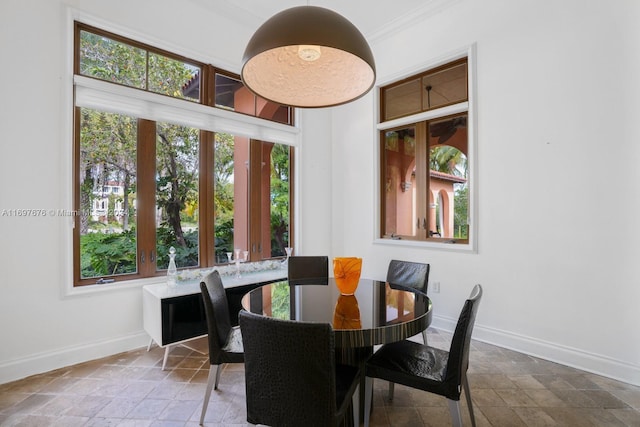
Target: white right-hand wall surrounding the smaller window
(557, 86)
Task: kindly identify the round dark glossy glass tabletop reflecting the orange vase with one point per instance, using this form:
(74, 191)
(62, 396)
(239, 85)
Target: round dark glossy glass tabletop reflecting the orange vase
(376, 313)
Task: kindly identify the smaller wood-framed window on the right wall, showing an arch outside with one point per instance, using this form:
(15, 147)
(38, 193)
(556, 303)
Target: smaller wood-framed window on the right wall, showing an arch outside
(424, 150)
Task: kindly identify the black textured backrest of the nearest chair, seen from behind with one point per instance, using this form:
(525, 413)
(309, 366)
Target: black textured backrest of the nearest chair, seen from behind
(289, 371)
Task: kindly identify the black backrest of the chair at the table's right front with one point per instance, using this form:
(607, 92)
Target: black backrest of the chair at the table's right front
(458, 361)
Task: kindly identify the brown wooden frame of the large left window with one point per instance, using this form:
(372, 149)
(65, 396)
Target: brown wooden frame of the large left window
(146, 235)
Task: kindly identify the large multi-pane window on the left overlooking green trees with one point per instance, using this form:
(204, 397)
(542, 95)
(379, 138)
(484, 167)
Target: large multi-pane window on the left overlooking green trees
(143, 185)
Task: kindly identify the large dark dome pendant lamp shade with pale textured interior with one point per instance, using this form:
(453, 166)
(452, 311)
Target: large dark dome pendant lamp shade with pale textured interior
(308, 57)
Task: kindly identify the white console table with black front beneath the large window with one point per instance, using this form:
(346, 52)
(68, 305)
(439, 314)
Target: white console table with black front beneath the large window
(175, 316)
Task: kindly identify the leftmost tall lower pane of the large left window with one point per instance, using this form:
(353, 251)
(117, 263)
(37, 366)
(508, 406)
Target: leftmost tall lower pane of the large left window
(107, 160)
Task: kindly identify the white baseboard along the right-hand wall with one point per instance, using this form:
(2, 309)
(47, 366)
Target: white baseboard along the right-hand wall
(553, 352)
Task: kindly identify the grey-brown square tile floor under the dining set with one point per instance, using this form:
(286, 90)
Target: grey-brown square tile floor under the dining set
(130, 389)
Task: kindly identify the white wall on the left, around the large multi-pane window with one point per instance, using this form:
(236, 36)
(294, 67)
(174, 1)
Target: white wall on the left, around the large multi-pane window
(43, 329)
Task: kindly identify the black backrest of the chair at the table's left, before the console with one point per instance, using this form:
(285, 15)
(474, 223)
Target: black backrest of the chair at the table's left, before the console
(216, 310)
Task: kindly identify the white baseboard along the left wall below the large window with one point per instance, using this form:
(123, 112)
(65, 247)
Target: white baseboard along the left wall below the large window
(43, 362)
